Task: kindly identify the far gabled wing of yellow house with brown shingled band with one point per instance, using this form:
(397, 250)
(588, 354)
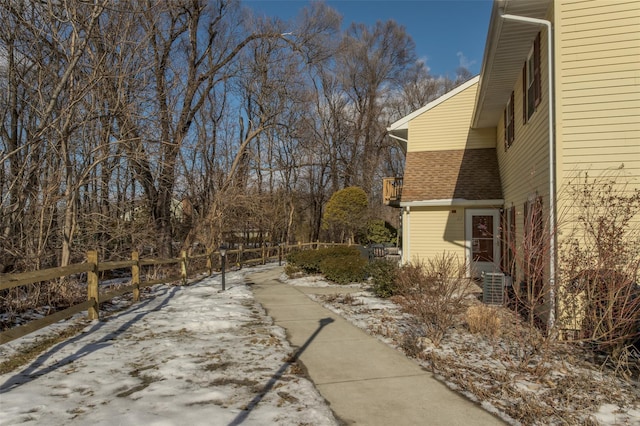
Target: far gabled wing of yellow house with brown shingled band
(451, 179)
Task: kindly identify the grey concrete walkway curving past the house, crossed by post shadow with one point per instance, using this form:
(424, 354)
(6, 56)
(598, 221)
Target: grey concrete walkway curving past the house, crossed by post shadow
(365, 381)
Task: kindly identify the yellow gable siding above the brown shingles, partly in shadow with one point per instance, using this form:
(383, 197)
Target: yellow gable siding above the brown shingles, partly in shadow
(447, 126)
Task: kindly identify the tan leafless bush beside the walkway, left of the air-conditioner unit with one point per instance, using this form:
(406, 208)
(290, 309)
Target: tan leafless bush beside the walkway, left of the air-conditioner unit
(434, 292)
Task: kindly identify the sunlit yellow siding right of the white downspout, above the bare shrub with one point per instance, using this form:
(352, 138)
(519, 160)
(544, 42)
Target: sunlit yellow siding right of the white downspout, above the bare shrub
(598, 88)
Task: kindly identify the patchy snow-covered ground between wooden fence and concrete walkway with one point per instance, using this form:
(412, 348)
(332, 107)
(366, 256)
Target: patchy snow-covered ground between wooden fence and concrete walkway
(183, 355)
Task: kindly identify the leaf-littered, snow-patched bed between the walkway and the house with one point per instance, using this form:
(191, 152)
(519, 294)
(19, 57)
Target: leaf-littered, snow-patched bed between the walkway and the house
(563, 389)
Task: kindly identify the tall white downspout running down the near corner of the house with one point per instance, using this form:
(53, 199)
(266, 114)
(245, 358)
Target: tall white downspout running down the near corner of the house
(552, 162)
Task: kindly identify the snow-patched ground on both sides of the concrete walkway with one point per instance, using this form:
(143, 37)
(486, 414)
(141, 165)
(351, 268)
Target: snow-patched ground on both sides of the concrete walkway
(196, 355)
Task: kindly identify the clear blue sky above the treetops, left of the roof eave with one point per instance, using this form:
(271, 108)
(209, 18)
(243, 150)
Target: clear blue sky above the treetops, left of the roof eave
(447, 33)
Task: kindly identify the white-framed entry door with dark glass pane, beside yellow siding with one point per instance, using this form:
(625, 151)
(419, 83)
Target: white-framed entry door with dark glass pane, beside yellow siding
(482, 235)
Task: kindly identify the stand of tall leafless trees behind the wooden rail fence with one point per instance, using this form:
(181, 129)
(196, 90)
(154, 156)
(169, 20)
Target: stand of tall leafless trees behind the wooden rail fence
(116, 114)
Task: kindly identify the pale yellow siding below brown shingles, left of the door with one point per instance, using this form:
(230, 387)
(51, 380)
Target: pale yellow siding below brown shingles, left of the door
(433, 230)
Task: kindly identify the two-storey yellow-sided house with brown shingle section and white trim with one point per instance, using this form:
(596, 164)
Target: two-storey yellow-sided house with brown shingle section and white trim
(558, 95)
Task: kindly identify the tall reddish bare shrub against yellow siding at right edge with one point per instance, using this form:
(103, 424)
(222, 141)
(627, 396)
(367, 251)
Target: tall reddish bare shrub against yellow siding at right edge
(600, 262)
